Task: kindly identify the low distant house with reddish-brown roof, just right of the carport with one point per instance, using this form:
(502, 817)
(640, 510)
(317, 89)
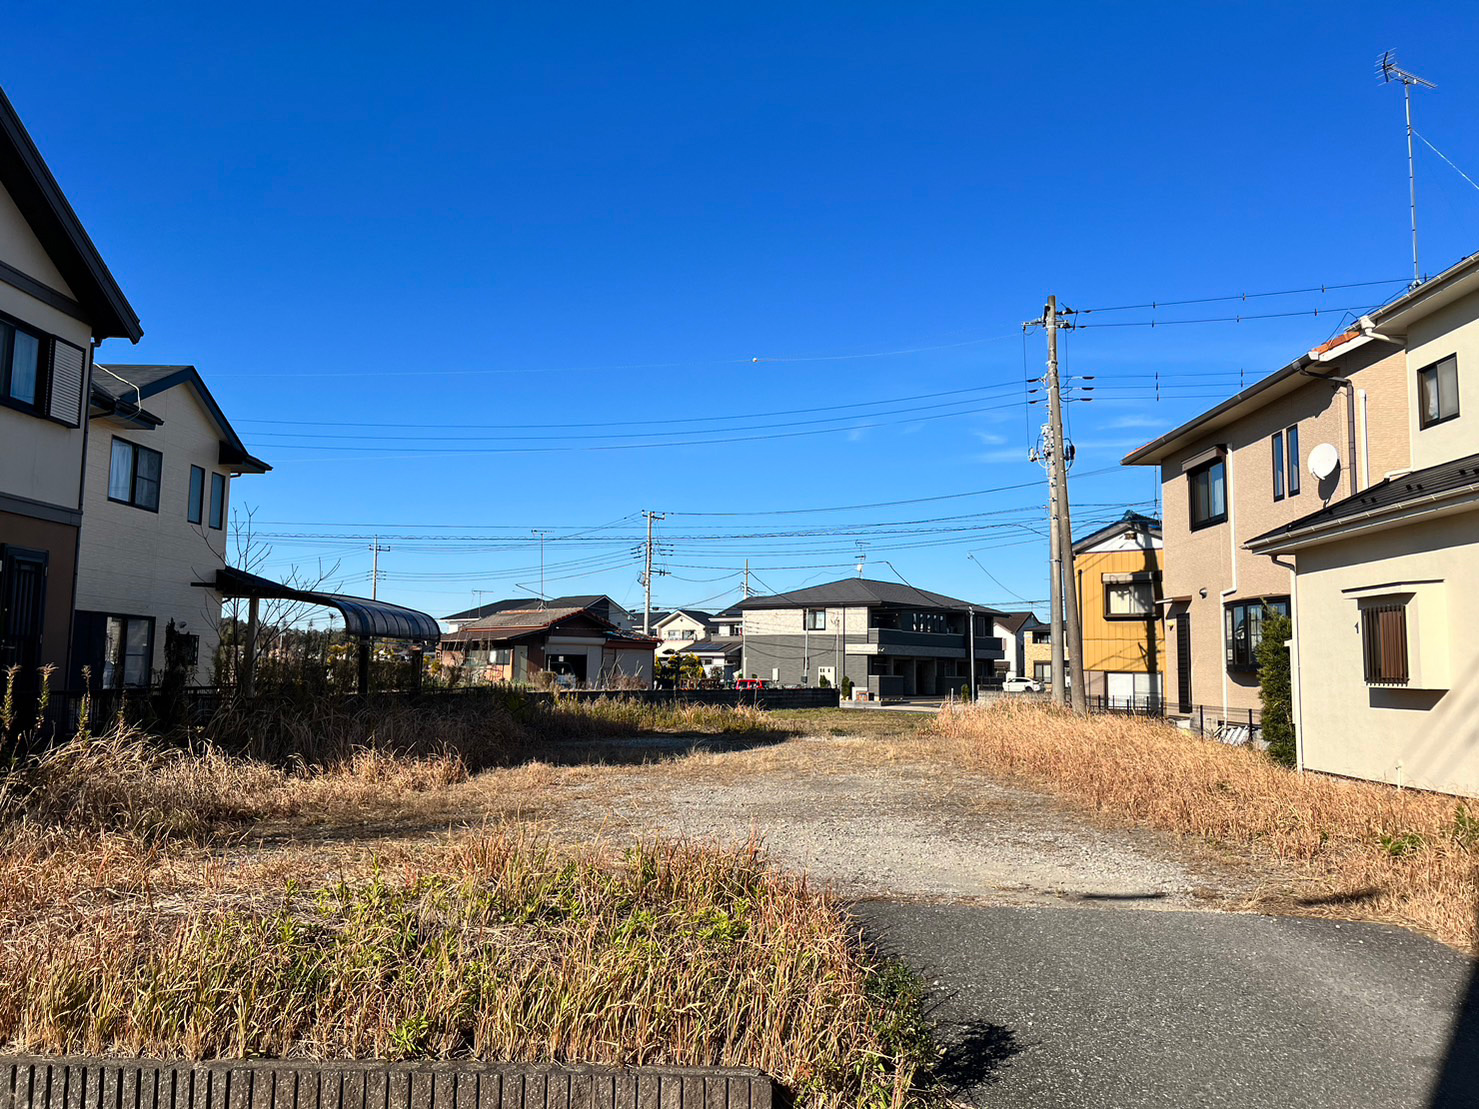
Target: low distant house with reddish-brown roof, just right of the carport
(572, 645)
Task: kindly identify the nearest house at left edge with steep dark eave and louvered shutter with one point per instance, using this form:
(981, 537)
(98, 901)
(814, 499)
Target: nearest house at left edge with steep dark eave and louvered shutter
(57, 302)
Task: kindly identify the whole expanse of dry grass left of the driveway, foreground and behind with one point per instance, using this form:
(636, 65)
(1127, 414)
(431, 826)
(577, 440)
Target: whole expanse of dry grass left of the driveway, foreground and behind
(141, 913)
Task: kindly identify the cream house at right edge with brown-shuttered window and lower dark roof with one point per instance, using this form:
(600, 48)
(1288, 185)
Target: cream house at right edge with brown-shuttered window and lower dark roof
(1385, 600)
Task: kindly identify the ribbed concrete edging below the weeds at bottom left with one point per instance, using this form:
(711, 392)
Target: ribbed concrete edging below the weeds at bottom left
(82, 1083)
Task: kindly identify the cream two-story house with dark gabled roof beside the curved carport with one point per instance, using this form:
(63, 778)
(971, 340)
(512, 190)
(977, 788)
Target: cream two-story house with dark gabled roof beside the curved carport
(162, 458)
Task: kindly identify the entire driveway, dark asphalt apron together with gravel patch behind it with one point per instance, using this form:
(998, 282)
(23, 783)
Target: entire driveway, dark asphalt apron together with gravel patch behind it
(1051, 984)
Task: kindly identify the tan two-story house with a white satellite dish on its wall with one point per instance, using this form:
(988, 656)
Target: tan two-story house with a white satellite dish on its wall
(1243, 468)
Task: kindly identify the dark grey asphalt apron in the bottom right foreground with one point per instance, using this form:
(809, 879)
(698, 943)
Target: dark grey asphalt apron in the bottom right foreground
(1119, 1008)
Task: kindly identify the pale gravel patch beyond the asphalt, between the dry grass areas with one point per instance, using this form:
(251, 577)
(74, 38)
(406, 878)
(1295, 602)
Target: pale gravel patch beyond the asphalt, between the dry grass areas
(904, 829)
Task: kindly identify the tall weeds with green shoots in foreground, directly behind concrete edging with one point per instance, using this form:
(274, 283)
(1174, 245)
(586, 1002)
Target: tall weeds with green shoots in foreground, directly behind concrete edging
(507, 950)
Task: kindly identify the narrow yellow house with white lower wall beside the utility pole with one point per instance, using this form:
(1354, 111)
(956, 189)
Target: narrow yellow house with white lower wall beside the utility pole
(1117, 573)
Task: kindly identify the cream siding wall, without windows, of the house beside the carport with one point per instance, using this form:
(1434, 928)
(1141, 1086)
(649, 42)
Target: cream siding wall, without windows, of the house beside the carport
(140, 563)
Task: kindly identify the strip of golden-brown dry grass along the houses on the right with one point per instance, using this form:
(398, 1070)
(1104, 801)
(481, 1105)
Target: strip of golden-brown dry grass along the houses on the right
(1369, 851)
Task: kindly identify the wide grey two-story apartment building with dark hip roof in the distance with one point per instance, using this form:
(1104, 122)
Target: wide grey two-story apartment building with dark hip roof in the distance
(888, 638)
